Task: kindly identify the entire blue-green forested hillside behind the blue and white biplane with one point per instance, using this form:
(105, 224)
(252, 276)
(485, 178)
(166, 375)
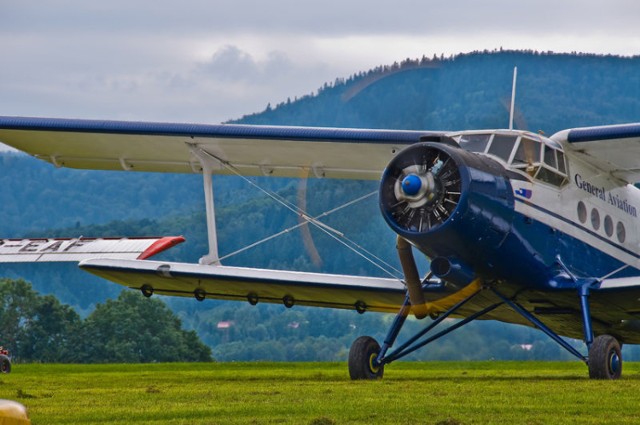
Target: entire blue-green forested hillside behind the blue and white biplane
(462, 92)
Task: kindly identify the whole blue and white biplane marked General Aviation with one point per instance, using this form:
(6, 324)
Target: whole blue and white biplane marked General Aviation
(518, 227)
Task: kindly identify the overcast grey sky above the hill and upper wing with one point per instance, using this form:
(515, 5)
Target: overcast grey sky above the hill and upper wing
(211, 60)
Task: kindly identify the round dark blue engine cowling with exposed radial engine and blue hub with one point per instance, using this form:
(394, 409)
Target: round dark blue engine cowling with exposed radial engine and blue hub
(448, 203)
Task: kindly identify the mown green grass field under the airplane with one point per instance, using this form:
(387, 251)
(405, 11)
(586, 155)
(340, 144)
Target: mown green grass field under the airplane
(444, 393)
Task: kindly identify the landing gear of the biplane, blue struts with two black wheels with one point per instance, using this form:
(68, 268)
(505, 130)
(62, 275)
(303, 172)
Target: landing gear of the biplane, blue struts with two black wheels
(367, 359)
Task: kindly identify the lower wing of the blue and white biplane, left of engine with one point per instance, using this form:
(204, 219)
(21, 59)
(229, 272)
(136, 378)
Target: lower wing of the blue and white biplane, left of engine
(254, 285)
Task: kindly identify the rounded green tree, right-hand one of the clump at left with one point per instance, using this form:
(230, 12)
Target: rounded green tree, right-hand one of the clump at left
(134, 329)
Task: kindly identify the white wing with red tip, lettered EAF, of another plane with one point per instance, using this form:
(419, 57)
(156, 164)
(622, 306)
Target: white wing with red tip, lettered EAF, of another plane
(78, 249)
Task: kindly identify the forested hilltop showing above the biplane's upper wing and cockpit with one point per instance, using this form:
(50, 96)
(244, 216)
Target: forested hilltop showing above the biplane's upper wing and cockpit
(467, 91)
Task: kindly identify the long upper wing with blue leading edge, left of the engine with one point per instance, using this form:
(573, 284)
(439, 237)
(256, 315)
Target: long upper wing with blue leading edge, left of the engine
(166, 147)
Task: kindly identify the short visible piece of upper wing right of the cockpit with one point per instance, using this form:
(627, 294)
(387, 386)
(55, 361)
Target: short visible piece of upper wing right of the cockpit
(615, 149)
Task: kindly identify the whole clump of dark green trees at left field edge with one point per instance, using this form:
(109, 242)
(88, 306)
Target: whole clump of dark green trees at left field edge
(38, 328)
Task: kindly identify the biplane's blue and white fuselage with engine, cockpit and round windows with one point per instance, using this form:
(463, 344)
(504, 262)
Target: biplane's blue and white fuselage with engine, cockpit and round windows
(513, 208)
